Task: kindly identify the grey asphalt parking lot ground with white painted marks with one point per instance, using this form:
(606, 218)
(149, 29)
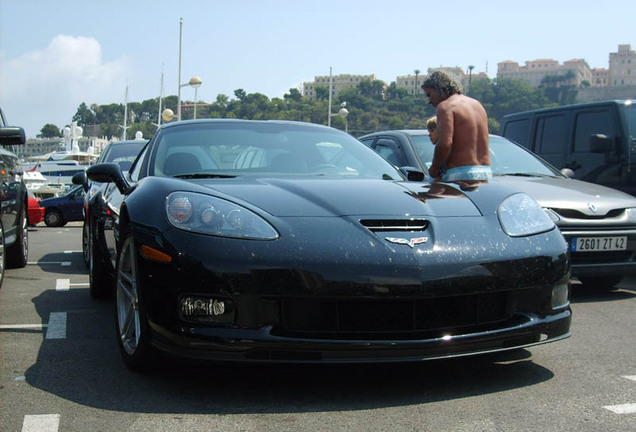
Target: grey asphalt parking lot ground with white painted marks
(60, 371)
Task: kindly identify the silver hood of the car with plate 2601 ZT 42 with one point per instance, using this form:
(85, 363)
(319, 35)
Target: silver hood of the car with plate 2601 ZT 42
(566, 193)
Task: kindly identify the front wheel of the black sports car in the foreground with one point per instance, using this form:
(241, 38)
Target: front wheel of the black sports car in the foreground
(133, 331)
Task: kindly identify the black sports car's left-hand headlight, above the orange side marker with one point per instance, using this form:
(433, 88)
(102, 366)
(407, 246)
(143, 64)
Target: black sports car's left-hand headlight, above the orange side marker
(215, 216)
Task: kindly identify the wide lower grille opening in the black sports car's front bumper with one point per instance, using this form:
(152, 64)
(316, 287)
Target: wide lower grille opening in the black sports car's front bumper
(394, 318)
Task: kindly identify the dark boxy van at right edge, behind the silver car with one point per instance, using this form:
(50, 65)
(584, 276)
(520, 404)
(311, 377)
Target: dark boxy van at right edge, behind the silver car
(594, 141)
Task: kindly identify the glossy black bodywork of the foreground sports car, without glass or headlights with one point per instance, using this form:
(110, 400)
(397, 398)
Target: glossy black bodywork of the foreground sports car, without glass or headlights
(267, 280)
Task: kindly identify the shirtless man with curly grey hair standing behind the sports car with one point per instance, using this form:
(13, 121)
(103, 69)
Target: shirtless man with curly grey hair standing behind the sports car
(461, 151)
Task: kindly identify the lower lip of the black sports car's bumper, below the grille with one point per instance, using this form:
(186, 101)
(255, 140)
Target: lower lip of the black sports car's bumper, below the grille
(262, 346)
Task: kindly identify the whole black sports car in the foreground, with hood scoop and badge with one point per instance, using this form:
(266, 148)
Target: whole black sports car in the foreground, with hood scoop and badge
(280, 241)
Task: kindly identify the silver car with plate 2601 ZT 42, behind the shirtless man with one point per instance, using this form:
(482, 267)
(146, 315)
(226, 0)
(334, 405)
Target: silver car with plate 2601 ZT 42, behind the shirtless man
(599, 223)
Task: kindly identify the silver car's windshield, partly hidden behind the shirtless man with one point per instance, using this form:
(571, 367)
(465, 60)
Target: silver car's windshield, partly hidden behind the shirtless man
(506, 158)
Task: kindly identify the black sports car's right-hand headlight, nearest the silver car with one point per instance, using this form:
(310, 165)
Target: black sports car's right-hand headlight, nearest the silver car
(520, 215)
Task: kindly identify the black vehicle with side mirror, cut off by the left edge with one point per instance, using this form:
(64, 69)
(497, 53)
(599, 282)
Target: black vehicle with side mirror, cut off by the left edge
(14, 237)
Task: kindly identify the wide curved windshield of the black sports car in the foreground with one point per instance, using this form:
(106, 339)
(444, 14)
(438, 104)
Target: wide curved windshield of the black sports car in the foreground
(227, 149)
